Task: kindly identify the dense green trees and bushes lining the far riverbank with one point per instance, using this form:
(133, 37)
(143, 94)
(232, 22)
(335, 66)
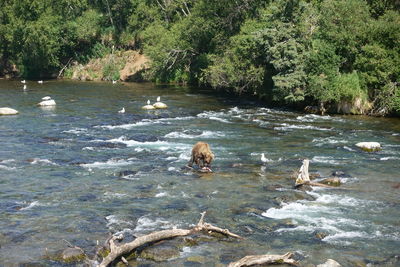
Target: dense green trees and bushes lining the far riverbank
(319, 52)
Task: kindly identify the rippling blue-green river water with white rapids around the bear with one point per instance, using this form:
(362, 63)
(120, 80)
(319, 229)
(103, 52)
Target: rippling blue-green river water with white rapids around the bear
(81, 170)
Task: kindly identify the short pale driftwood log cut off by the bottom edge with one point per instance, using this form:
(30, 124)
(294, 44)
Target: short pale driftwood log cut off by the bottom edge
(264, 259)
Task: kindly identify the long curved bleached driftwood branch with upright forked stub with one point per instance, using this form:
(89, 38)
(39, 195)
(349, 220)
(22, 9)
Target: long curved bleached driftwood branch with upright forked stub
(117, 251)
